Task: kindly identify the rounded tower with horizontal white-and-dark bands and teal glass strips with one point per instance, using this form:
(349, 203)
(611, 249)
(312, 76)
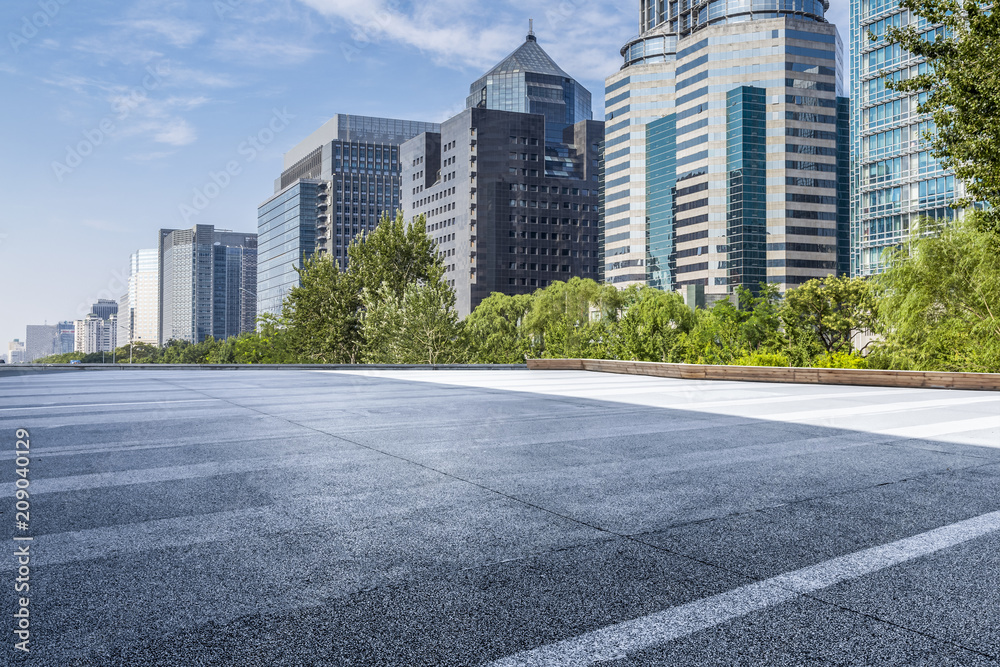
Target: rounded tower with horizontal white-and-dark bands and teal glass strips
(726, 157)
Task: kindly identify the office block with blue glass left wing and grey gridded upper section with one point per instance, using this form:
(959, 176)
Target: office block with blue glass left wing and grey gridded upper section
(336, 184)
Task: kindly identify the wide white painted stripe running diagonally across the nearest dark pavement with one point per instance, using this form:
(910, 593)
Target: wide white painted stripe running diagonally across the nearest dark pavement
(617, 641)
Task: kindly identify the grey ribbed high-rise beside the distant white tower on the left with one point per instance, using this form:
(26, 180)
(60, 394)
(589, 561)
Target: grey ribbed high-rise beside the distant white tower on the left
(207, 283)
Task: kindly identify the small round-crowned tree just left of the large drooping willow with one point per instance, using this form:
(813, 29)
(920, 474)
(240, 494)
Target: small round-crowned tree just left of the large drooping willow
(830, 313)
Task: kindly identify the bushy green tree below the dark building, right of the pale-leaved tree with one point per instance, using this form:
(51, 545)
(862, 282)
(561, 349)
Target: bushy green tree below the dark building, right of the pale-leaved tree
(494, 331)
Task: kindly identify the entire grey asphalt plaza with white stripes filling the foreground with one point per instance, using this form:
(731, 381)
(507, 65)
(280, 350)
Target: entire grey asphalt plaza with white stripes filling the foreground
(499, 518)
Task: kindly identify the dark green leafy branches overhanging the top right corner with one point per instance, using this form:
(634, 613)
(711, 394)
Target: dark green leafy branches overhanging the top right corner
(963, 86)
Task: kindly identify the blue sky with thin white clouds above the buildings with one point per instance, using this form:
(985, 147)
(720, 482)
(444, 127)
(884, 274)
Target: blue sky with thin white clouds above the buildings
(119, 113)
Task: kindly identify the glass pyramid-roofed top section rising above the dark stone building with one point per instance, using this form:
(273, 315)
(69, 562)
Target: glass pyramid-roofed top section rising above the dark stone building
(529, 81)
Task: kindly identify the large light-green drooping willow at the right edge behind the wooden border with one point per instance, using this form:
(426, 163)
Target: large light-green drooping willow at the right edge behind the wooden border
(941, 302)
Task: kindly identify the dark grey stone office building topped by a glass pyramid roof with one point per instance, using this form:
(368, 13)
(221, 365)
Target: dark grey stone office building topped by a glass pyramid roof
(509, 209)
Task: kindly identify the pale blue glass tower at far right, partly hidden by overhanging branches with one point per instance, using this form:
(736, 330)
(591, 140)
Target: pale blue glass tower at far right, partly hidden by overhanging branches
(896, 181)
